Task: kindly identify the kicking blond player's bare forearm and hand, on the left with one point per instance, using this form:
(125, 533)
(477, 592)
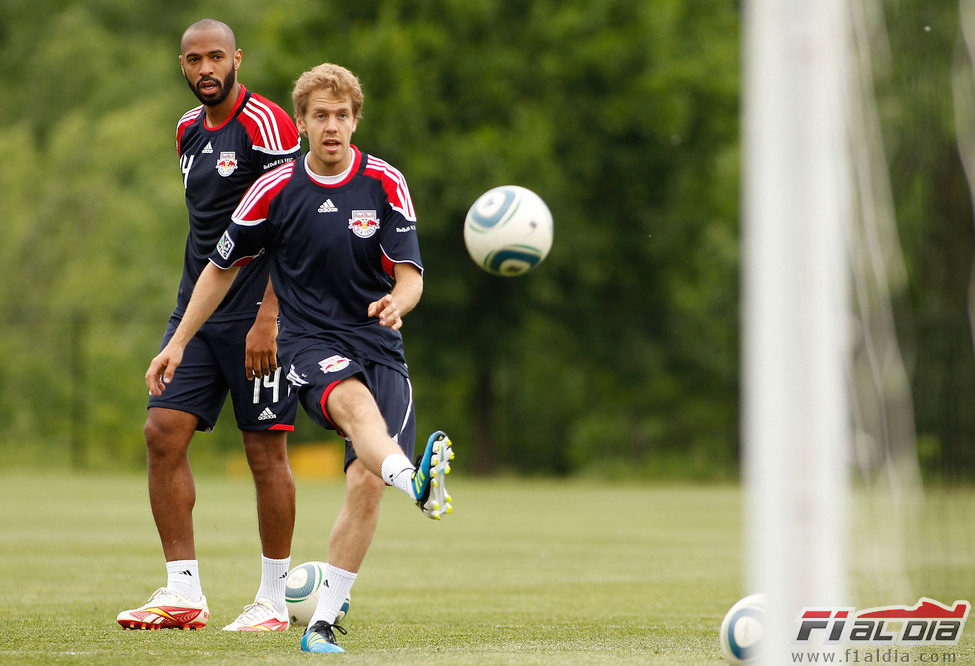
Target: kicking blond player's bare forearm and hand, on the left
(213, 285)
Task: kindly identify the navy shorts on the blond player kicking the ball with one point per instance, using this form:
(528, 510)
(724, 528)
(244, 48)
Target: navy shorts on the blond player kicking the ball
(318, 367)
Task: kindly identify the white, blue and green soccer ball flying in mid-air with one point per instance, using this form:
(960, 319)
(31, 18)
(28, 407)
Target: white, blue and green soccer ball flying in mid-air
(508, 230)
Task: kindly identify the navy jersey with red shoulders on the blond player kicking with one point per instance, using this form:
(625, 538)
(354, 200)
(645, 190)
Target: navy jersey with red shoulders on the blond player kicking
(332, 244)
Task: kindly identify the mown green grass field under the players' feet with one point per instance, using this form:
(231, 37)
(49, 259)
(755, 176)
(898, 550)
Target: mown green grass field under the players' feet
(523, 572)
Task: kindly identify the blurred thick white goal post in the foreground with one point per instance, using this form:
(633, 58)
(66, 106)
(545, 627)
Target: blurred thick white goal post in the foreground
(796, 215)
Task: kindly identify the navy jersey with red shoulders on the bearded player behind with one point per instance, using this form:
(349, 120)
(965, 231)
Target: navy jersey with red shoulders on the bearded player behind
(218, 165)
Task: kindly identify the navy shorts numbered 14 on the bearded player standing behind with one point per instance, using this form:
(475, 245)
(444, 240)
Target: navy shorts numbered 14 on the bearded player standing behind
(212, 367)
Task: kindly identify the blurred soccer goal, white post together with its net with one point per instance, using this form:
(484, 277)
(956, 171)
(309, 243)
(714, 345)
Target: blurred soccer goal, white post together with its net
(858, 130)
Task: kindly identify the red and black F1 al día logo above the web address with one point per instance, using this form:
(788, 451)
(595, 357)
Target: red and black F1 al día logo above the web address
(928, 622)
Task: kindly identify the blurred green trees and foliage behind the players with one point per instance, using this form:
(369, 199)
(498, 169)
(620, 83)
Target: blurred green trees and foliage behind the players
(617, 356)
